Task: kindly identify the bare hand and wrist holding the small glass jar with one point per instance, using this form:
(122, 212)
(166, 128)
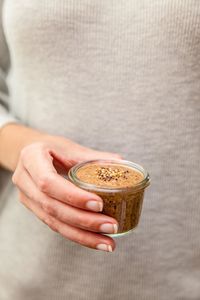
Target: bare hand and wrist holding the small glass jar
(38, 160)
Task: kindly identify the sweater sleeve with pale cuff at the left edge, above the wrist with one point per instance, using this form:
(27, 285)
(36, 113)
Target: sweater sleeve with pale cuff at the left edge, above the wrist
(5, 114)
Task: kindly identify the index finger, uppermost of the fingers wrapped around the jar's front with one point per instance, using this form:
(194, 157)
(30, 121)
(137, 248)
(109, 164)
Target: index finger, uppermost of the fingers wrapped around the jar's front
(48, 181)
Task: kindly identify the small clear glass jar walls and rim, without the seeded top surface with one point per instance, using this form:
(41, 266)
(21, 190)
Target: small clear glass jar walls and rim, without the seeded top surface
(122, 203)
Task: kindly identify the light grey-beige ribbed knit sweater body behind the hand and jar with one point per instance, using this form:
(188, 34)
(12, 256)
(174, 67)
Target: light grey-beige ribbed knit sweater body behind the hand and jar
(116, 76)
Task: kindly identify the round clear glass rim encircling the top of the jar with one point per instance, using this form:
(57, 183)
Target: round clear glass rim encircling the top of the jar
(141, 185)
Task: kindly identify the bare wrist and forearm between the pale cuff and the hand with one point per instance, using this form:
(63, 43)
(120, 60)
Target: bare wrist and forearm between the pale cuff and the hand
(13, 137)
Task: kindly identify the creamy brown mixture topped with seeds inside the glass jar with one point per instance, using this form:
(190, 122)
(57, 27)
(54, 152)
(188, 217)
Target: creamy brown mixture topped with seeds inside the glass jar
(121, 200)
